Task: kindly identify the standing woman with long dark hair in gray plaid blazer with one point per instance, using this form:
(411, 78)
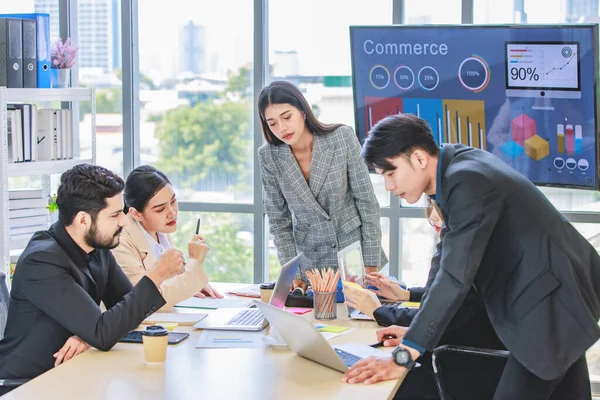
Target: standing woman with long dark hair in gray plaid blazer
(318, 194)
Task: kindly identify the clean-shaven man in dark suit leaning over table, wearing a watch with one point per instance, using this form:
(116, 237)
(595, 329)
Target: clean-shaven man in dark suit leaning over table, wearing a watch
(537, 276)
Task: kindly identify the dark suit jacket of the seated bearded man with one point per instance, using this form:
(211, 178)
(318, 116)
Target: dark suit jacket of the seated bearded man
(56, 292)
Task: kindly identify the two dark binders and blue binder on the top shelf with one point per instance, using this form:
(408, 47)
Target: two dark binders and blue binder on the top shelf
(25, 50)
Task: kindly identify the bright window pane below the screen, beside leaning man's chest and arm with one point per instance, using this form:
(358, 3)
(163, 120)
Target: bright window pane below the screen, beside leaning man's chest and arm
(418, 246)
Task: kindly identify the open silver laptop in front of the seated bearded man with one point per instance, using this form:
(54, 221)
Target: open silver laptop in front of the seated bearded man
(251, 319)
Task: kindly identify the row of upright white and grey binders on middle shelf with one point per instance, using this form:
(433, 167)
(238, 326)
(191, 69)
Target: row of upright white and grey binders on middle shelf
(39, 135)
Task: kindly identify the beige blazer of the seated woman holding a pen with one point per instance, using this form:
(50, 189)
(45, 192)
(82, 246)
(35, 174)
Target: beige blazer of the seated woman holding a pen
(135, 258)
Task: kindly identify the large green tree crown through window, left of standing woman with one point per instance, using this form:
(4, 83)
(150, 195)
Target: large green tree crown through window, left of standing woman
(209, 138)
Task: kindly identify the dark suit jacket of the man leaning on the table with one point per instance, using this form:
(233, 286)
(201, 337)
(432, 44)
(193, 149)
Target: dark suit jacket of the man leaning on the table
(538, 277)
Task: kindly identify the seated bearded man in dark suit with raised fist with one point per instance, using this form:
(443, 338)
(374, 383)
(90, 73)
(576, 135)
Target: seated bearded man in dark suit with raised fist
(64, 273)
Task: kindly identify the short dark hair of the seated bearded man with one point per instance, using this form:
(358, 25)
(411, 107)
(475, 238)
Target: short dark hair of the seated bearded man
(85, 188)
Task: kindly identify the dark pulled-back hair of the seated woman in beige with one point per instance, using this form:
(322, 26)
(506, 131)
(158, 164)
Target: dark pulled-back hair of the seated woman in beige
(141, 185)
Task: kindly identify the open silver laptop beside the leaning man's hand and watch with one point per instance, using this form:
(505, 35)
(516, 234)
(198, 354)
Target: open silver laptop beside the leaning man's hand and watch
(304, 339)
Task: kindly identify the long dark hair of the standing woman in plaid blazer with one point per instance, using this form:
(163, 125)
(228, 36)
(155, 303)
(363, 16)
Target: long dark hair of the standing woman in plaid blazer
(282, 92)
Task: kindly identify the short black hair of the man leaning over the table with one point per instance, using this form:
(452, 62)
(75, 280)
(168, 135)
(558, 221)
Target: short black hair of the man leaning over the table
(395, 136)
